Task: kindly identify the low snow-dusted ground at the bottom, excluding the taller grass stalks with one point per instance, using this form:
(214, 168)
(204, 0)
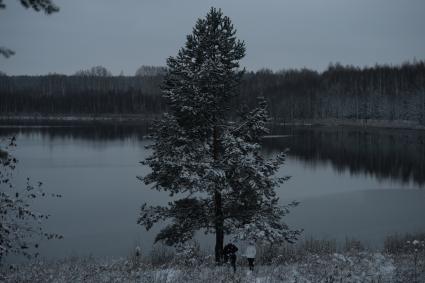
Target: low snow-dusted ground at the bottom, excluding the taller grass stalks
(336, 267)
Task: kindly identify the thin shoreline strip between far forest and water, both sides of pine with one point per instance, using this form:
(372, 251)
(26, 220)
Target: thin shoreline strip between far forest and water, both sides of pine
(37, 119)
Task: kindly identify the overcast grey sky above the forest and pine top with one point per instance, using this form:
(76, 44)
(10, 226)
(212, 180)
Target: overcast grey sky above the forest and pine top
(279, 34)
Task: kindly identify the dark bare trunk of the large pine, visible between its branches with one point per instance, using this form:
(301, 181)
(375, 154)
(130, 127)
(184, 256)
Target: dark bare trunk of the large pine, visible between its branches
(219, 223)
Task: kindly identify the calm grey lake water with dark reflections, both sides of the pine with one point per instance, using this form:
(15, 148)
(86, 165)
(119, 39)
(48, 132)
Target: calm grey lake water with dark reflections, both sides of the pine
(352, 182)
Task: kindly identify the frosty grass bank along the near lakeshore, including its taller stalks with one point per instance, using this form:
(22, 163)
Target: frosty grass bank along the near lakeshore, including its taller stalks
(403, 260)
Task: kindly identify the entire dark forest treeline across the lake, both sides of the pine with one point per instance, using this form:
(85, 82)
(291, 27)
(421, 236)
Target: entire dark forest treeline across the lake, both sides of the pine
(340, 92)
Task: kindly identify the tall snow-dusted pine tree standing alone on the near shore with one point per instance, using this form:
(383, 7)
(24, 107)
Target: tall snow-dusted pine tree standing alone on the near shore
(227, 187)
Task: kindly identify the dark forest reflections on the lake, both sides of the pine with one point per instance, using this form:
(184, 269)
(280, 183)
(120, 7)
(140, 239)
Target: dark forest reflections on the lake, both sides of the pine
(397, 154)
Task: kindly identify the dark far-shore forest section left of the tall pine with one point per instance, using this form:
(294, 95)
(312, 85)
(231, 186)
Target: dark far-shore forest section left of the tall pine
(73, 95)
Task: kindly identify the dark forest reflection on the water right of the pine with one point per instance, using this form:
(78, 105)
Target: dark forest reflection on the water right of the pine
(385, 153)
